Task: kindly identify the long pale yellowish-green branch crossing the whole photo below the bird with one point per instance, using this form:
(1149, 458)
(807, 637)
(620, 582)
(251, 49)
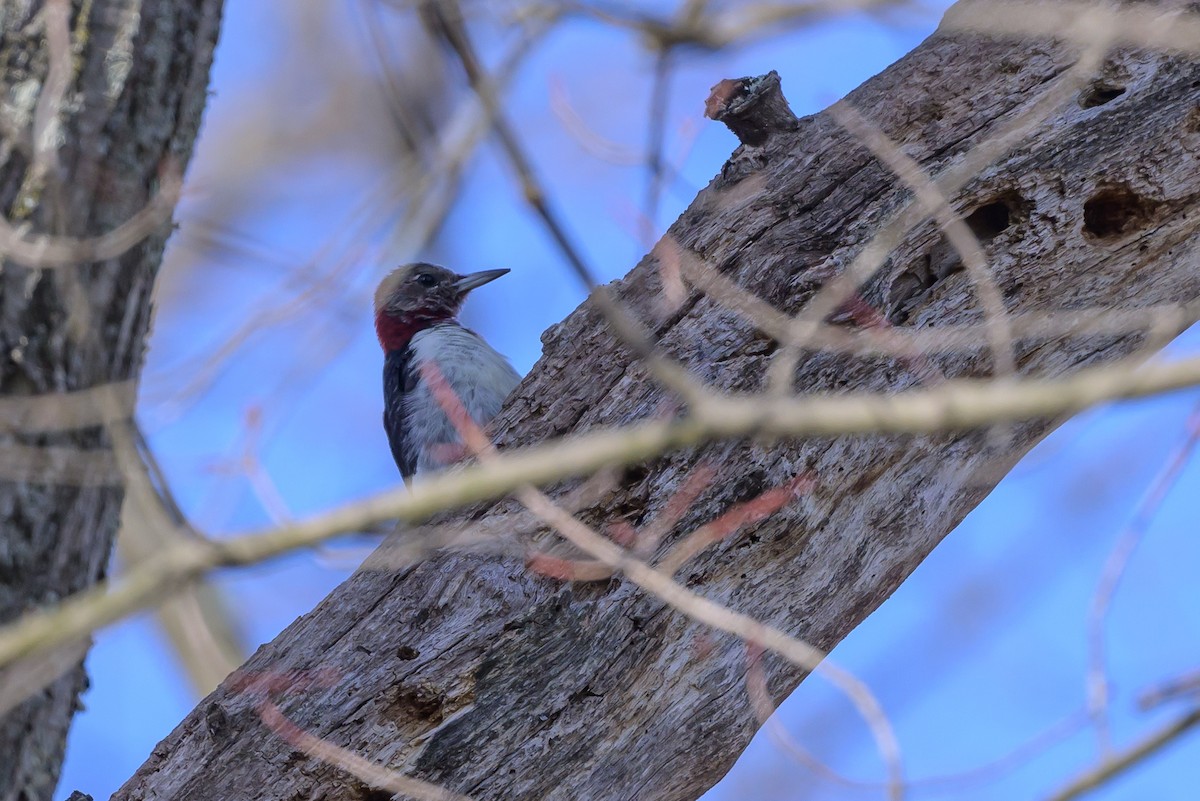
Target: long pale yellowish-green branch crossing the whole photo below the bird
(956, 406)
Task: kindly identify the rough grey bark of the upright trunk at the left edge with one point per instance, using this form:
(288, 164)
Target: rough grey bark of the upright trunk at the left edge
(131, 109)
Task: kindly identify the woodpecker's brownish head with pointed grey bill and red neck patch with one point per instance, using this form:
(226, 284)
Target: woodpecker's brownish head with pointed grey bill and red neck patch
(418, 296)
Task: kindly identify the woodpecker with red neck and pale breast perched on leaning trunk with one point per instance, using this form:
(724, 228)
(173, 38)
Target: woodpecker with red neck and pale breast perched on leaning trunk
(417, 309)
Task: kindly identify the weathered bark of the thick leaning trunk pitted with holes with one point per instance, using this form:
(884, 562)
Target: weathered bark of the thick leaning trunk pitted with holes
(472, 672)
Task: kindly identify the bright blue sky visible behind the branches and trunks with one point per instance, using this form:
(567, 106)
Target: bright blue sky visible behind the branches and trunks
(981, 651)
